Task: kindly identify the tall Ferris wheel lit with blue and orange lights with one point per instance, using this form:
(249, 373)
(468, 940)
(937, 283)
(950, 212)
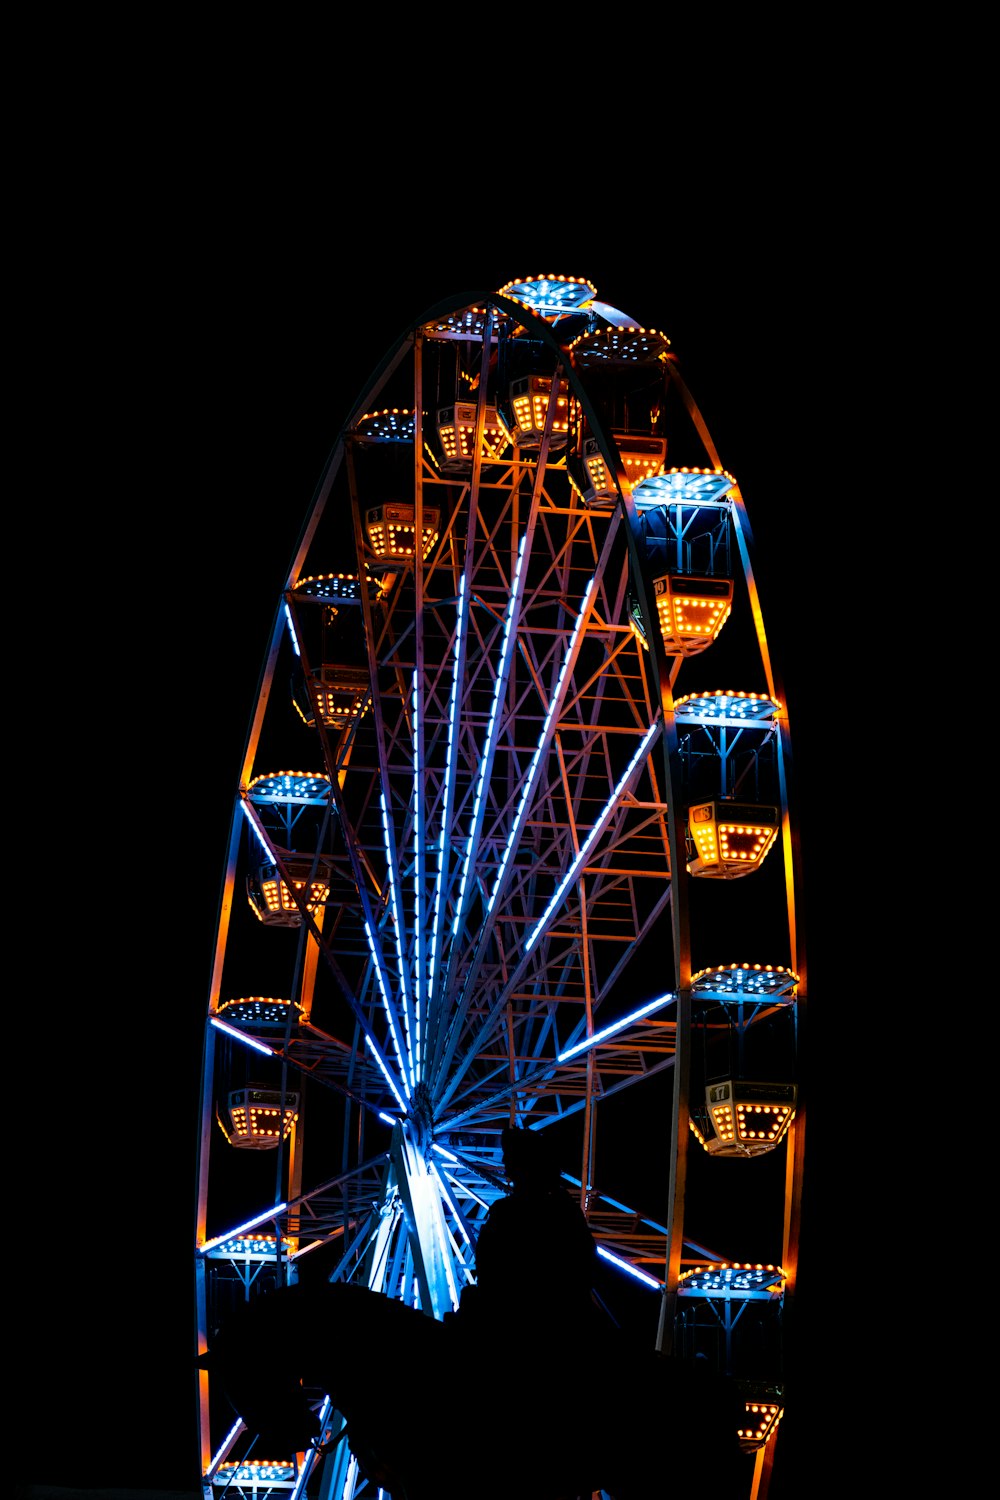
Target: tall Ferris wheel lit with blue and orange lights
(513, 844)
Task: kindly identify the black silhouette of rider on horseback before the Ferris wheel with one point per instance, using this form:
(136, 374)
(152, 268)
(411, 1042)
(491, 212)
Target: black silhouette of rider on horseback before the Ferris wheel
(528, 1390)
